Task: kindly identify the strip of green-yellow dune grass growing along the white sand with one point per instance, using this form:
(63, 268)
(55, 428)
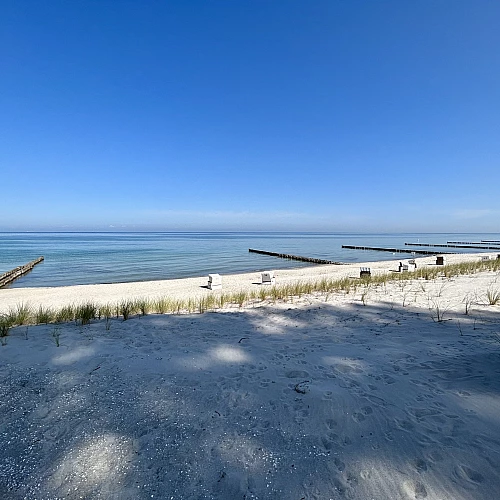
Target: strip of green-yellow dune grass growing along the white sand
(85, 313)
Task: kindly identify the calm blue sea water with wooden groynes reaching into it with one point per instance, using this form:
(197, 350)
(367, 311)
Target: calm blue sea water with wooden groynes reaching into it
(88, 258)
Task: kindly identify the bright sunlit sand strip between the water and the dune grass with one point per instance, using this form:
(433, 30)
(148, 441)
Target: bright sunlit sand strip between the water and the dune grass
(185, 288)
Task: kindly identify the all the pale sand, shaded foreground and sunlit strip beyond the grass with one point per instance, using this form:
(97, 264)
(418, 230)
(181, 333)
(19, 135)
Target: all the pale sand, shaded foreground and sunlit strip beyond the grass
(391, 392)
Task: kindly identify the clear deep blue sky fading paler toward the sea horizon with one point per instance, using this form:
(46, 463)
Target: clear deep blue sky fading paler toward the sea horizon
(334, 115)
